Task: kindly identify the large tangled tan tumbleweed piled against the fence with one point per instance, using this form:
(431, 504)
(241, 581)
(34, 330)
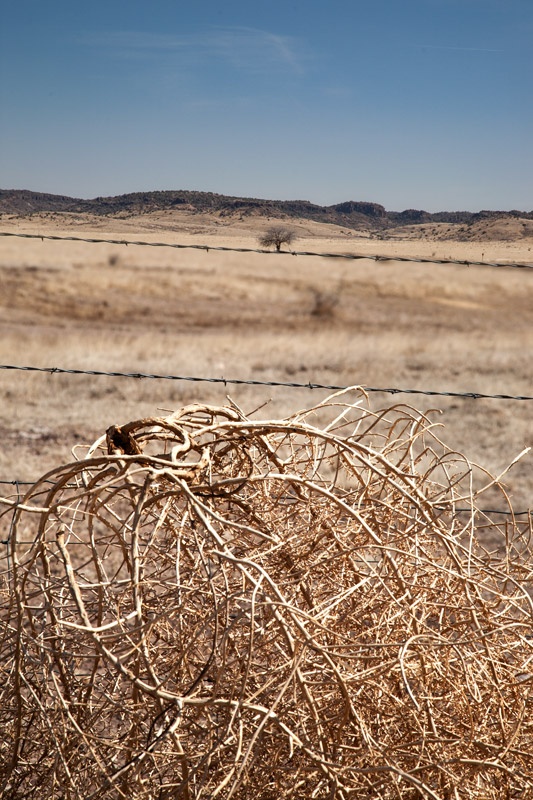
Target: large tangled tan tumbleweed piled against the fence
(211, 606)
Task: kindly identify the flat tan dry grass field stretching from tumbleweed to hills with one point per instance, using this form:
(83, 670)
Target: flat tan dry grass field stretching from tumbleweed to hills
(251, 316)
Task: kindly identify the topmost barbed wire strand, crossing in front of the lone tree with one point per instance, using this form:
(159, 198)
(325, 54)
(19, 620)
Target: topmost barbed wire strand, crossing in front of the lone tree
(208, 247)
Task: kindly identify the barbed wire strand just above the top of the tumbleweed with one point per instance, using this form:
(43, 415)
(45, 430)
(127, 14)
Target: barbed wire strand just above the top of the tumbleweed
(254, 382)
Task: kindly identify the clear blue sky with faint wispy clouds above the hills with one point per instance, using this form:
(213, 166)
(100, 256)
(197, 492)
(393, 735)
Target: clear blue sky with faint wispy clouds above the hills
(409, 103)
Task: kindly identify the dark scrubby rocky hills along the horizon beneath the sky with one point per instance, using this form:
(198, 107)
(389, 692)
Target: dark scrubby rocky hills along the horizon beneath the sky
(350, 214)
